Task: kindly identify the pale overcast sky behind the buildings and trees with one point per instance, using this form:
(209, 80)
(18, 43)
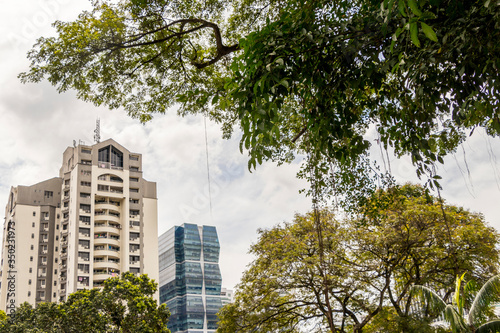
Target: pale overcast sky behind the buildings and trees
(37, 124)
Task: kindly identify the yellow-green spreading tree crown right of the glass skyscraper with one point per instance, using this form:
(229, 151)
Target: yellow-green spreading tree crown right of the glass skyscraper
(316, 275)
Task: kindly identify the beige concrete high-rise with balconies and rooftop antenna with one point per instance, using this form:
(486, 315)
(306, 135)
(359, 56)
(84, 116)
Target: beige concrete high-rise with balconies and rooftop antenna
(94, 221)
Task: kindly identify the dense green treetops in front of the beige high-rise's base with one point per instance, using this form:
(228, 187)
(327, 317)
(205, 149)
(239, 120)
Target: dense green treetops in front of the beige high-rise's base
(124, 304)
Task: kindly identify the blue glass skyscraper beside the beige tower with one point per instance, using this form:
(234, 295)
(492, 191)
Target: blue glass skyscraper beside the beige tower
(190, 279)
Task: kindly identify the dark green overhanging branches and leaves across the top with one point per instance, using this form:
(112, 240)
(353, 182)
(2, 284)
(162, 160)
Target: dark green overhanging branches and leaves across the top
(296, 76)
